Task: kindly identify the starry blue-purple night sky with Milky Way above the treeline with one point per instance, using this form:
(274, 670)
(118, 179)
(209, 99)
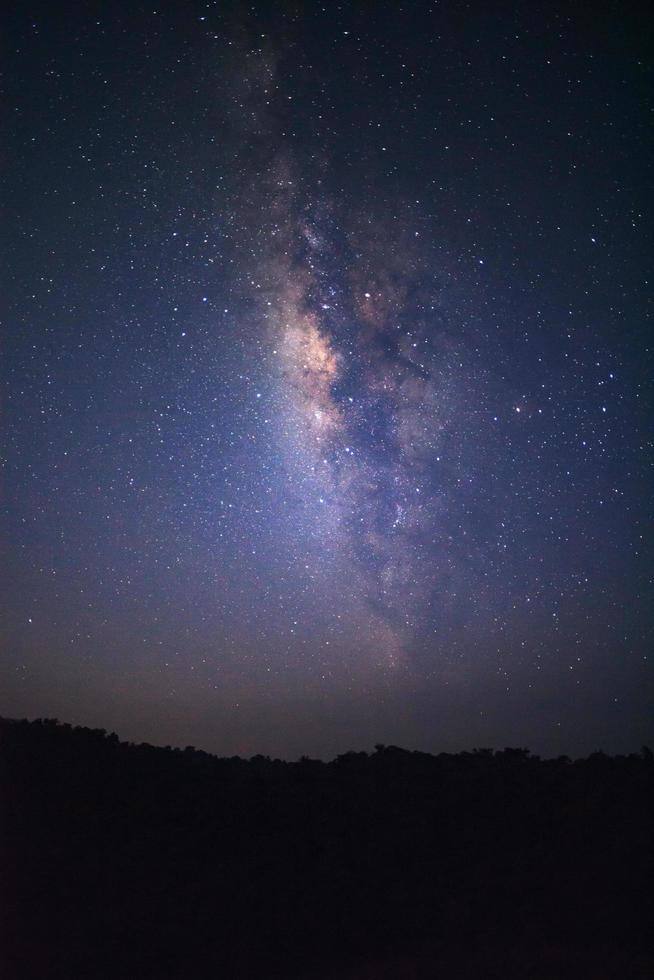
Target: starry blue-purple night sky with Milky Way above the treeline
(326, 381)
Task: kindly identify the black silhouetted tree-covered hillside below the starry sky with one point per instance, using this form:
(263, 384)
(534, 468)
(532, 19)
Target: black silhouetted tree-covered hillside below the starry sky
(124, 861)
